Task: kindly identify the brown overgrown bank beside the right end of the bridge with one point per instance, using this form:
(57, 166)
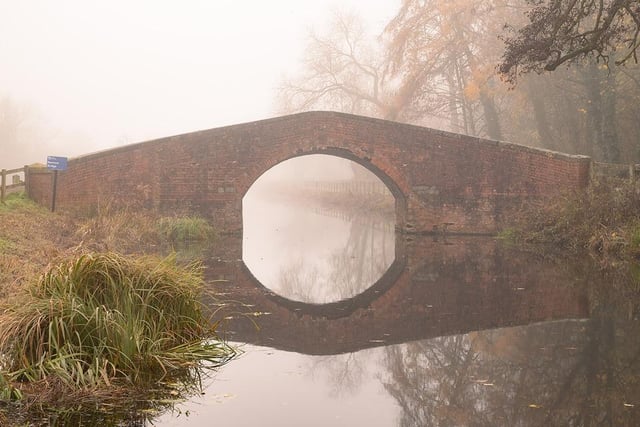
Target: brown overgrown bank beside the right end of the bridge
(604, 219)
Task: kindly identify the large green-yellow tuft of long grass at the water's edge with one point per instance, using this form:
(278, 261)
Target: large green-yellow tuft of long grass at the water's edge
(101, 319)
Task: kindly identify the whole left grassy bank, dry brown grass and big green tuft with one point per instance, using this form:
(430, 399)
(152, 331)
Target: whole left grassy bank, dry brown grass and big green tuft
(93, 315)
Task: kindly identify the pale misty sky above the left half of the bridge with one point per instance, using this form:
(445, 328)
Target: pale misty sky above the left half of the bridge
(113, 72)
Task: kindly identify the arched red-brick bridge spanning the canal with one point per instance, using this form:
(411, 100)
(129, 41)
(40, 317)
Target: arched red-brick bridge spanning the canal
(438, 179)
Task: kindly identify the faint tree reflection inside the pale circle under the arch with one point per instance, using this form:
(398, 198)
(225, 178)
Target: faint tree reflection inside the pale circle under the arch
(367, 254)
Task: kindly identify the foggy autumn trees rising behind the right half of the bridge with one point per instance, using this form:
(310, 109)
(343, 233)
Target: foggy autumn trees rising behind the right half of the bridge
(444, 63)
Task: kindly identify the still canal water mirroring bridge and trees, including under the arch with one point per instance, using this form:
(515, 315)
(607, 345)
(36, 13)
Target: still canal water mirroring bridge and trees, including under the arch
(377, 329)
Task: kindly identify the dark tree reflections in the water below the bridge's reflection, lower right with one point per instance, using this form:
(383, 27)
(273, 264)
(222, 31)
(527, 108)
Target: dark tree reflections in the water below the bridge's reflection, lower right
(561, 373)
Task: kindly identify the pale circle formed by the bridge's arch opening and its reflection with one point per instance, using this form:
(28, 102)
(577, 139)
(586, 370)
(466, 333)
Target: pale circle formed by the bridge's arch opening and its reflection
(325, 201)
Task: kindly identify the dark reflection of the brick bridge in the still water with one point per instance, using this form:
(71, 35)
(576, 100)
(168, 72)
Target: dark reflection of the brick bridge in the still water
(433, 288)
